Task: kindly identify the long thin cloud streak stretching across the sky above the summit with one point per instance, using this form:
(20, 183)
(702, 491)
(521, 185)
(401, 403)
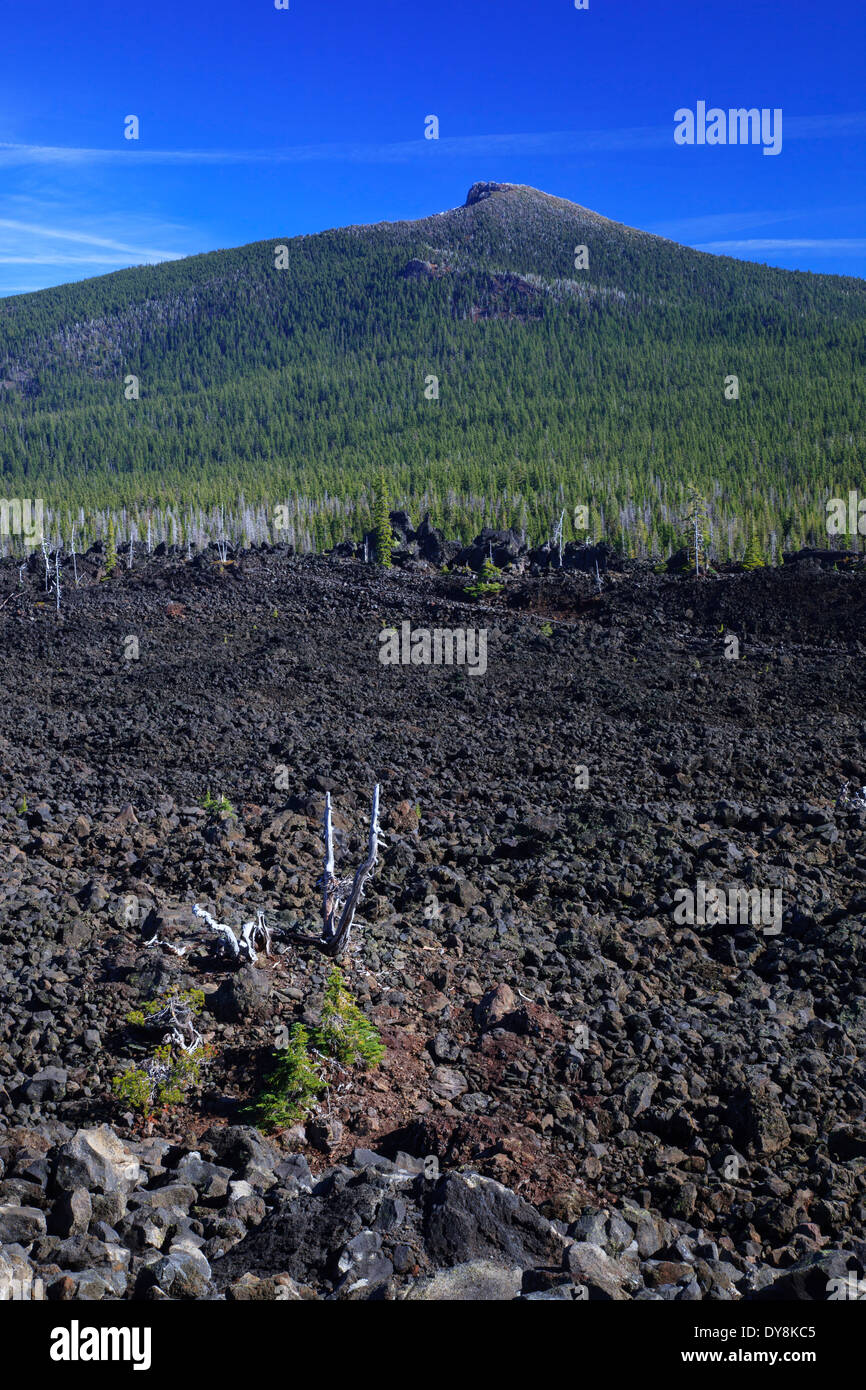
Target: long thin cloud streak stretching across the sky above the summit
(458, 147)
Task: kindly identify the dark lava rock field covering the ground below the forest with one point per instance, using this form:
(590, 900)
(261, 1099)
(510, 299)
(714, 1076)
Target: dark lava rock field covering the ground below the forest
(587, 1085)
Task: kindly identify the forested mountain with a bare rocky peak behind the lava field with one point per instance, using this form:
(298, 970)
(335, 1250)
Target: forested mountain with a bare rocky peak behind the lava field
(557, 386)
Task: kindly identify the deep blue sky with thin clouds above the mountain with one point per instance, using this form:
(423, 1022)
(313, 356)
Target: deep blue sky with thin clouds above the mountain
(261, 123)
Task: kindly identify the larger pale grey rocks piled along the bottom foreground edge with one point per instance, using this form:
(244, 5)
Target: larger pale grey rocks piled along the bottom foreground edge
(144, 1221)
